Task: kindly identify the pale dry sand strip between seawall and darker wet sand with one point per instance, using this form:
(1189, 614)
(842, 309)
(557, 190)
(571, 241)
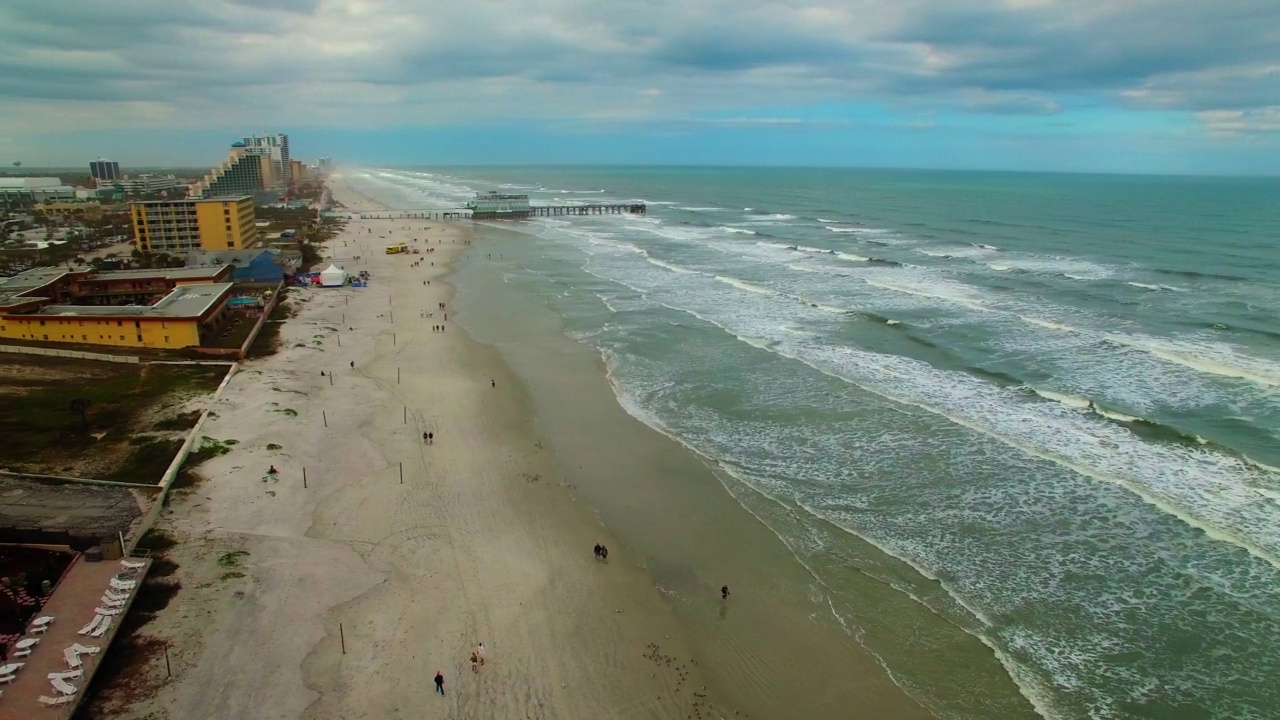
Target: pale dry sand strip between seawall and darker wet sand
(479, 544)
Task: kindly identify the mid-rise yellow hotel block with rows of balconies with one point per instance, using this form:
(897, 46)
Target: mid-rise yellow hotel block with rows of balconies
(195, 224)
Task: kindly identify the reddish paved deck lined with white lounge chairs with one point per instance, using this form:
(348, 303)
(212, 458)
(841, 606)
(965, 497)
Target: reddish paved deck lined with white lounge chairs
(72, 607)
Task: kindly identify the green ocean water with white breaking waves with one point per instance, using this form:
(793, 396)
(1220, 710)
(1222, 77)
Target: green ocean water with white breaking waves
(1044, 408)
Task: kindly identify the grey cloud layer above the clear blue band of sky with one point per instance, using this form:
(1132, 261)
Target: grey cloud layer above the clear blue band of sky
(415, 61)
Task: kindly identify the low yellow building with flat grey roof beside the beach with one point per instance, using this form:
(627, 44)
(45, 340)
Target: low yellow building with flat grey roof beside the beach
(188, 317)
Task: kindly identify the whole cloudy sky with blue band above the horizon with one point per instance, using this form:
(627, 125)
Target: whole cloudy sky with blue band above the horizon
(1183, 86)
